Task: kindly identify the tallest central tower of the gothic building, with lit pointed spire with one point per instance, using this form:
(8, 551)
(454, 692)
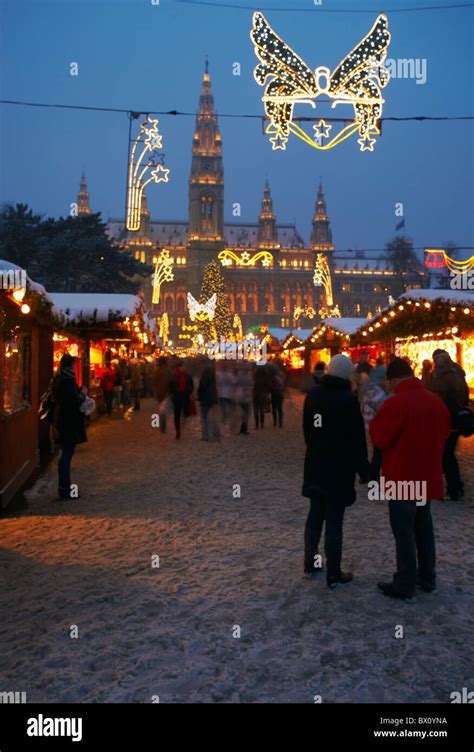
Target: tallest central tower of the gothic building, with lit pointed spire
(206, 182)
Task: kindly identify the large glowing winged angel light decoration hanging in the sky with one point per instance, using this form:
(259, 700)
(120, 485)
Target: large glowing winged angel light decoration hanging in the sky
(355, 81)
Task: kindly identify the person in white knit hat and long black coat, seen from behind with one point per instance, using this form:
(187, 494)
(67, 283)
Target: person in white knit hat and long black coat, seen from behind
(336, 449)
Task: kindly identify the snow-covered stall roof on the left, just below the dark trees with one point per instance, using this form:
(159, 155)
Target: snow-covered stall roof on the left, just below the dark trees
(92, 306)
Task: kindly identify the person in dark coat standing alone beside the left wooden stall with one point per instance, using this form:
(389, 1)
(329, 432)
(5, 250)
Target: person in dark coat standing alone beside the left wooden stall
(68, 420)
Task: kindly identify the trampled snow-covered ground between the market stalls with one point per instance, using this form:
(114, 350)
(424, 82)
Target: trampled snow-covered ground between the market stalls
(224, 562)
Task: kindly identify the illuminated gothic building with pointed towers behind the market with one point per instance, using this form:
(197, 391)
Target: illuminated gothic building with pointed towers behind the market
(267, 266)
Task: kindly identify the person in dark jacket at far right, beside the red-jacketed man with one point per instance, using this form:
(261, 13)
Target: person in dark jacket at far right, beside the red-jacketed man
(448, 381)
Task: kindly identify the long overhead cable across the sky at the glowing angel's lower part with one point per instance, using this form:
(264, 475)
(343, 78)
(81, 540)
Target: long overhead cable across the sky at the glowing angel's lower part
(178, 113)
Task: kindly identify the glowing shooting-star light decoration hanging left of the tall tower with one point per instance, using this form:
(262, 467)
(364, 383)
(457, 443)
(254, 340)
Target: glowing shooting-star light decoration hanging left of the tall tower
(145, 155)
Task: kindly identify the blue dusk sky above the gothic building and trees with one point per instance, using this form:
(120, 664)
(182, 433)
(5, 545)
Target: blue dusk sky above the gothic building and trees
(144, 57)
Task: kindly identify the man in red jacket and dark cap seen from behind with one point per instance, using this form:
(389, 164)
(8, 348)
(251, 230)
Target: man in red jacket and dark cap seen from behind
(411, 429)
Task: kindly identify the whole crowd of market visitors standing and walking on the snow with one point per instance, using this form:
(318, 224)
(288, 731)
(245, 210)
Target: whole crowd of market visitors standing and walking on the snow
(413, 426)
